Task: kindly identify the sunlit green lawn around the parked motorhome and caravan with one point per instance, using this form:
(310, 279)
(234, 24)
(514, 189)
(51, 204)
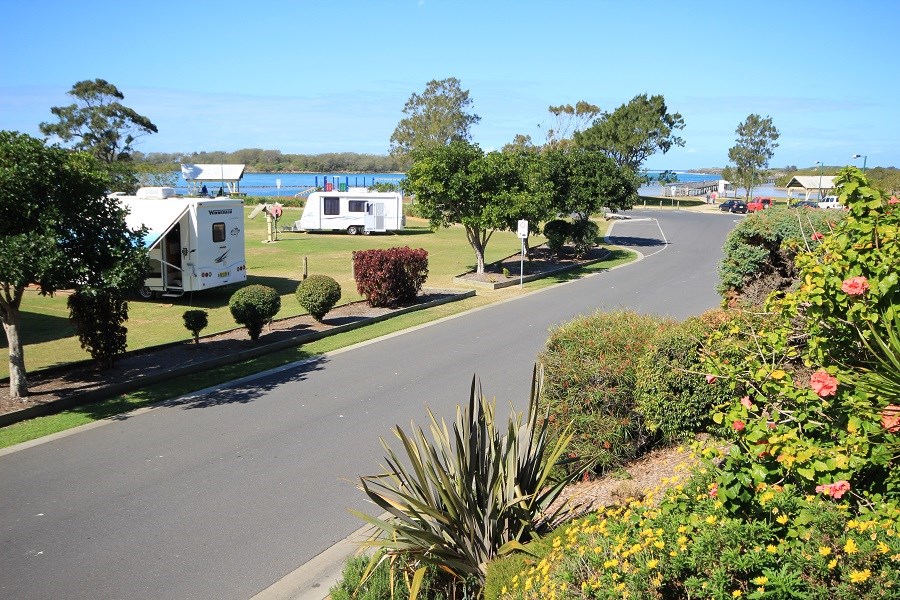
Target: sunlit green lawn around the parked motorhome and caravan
(49, 339)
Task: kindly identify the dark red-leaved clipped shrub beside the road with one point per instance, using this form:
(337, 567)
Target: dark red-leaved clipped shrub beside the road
(390, 277)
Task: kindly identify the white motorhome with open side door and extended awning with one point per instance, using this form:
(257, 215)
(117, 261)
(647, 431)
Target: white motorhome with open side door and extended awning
(193, 243)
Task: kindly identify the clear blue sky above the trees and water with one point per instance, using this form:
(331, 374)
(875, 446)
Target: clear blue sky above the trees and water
(309, 76)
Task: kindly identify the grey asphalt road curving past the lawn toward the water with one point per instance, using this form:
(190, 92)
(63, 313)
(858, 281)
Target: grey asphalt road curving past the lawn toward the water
(220, 496)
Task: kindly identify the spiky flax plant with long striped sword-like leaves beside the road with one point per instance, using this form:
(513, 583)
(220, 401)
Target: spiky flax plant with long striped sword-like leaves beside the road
(458, 499)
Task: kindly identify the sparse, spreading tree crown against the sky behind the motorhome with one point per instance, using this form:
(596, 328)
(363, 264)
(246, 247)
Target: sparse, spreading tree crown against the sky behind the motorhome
(97, 122)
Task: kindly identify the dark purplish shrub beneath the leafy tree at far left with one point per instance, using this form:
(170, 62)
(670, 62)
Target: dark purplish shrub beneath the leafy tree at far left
(98, 317)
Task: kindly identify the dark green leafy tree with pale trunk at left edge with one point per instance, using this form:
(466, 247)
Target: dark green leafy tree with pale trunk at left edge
(58, 230)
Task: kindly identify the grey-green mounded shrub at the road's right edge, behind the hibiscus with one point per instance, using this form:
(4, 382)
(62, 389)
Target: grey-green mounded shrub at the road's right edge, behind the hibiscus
(759, 253)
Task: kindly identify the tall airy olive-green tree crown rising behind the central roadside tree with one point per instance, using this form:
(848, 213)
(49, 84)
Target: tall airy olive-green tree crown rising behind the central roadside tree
(435, 118)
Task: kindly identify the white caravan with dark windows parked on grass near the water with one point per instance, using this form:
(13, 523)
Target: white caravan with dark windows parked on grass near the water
(354, 211)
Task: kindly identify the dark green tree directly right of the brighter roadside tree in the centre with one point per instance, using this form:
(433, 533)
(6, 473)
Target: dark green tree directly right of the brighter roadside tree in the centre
(585, 181)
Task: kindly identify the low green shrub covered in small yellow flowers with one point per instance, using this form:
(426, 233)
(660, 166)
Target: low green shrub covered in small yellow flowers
(690, 547)
